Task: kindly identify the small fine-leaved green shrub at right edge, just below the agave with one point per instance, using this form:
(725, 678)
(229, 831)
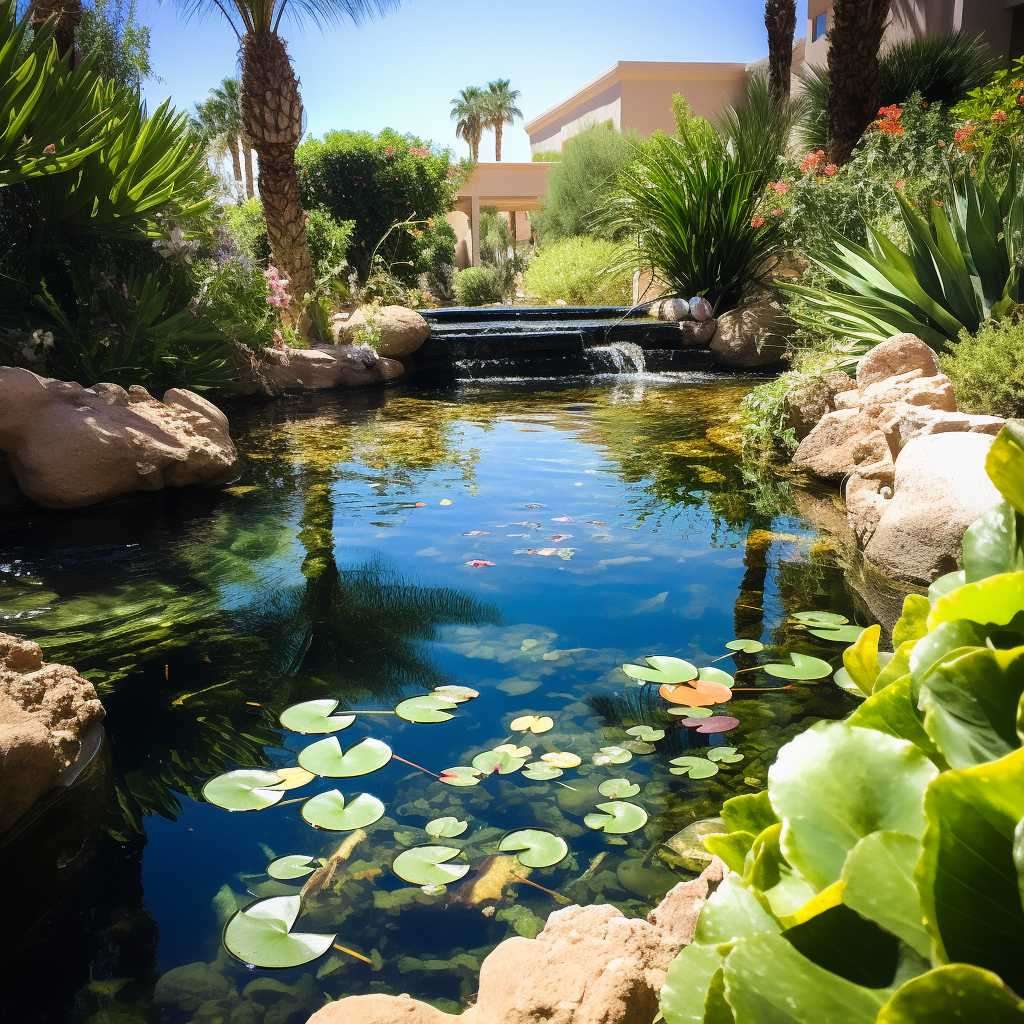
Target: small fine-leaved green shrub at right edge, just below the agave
(988, 369)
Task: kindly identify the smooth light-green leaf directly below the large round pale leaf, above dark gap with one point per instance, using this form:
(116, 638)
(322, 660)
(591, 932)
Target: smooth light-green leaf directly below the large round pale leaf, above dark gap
(879, 877)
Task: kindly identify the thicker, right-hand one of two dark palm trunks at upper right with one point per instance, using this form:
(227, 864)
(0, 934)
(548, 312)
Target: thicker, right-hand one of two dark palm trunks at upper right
(854, 70)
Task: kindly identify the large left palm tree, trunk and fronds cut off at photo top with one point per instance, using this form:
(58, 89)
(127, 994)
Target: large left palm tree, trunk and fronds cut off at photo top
(272, 115)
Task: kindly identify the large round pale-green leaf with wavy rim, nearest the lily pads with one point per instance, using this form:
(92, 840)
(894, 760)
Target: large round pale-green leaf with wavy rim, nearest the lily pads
(836, 784)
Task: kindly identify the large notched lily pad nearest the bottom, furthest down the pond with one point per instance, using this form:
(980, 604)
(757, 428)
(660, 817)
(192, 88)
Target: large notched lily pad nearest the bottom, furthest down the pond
(262, 935)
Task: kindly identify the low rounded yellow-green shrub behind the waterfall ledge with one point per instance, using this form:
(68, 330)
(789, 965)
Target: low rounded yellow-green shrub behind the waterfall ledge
(579, 272)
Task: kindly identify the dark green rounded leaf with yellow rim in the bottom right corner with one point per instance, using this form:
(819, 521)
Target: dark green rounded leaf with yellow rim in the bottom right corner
(953, 995)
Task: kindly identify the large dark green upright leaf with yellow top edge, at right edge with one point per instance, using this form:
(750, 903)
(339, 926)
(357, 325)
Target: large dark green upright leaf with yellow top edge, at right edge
(967, 876)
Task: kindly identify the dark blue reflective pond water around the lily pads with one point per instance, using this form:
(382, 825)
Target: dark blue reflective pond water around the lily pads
(615, 522)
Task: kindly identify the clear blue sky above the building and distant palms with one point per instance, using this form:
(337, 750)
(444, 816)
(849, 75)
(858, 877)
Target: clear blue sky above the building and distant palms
(402, 71)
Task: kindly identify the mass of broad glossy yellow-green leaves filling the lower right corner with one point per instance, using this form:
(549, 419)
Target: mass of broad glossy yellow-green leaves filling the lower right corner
(881, 881)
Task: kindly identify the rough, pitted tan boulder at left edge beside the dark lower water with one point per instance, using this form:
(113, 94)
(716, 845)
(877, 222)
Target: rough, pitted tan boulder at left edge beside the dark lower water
(46, 713)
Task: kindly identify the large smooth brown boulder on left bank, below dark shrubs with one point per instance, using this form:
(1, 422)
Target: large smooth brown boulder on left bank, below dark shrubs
(68, 446)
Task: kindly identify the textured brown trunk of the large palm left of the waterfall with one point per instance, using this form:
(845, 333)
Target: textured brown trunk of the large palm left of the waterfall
(272, 110)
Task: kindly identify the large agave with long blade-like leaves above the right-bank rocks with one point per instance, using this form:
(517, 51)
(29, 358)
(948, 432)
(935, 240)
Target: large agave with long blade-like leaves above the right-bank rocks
(962, 268)
